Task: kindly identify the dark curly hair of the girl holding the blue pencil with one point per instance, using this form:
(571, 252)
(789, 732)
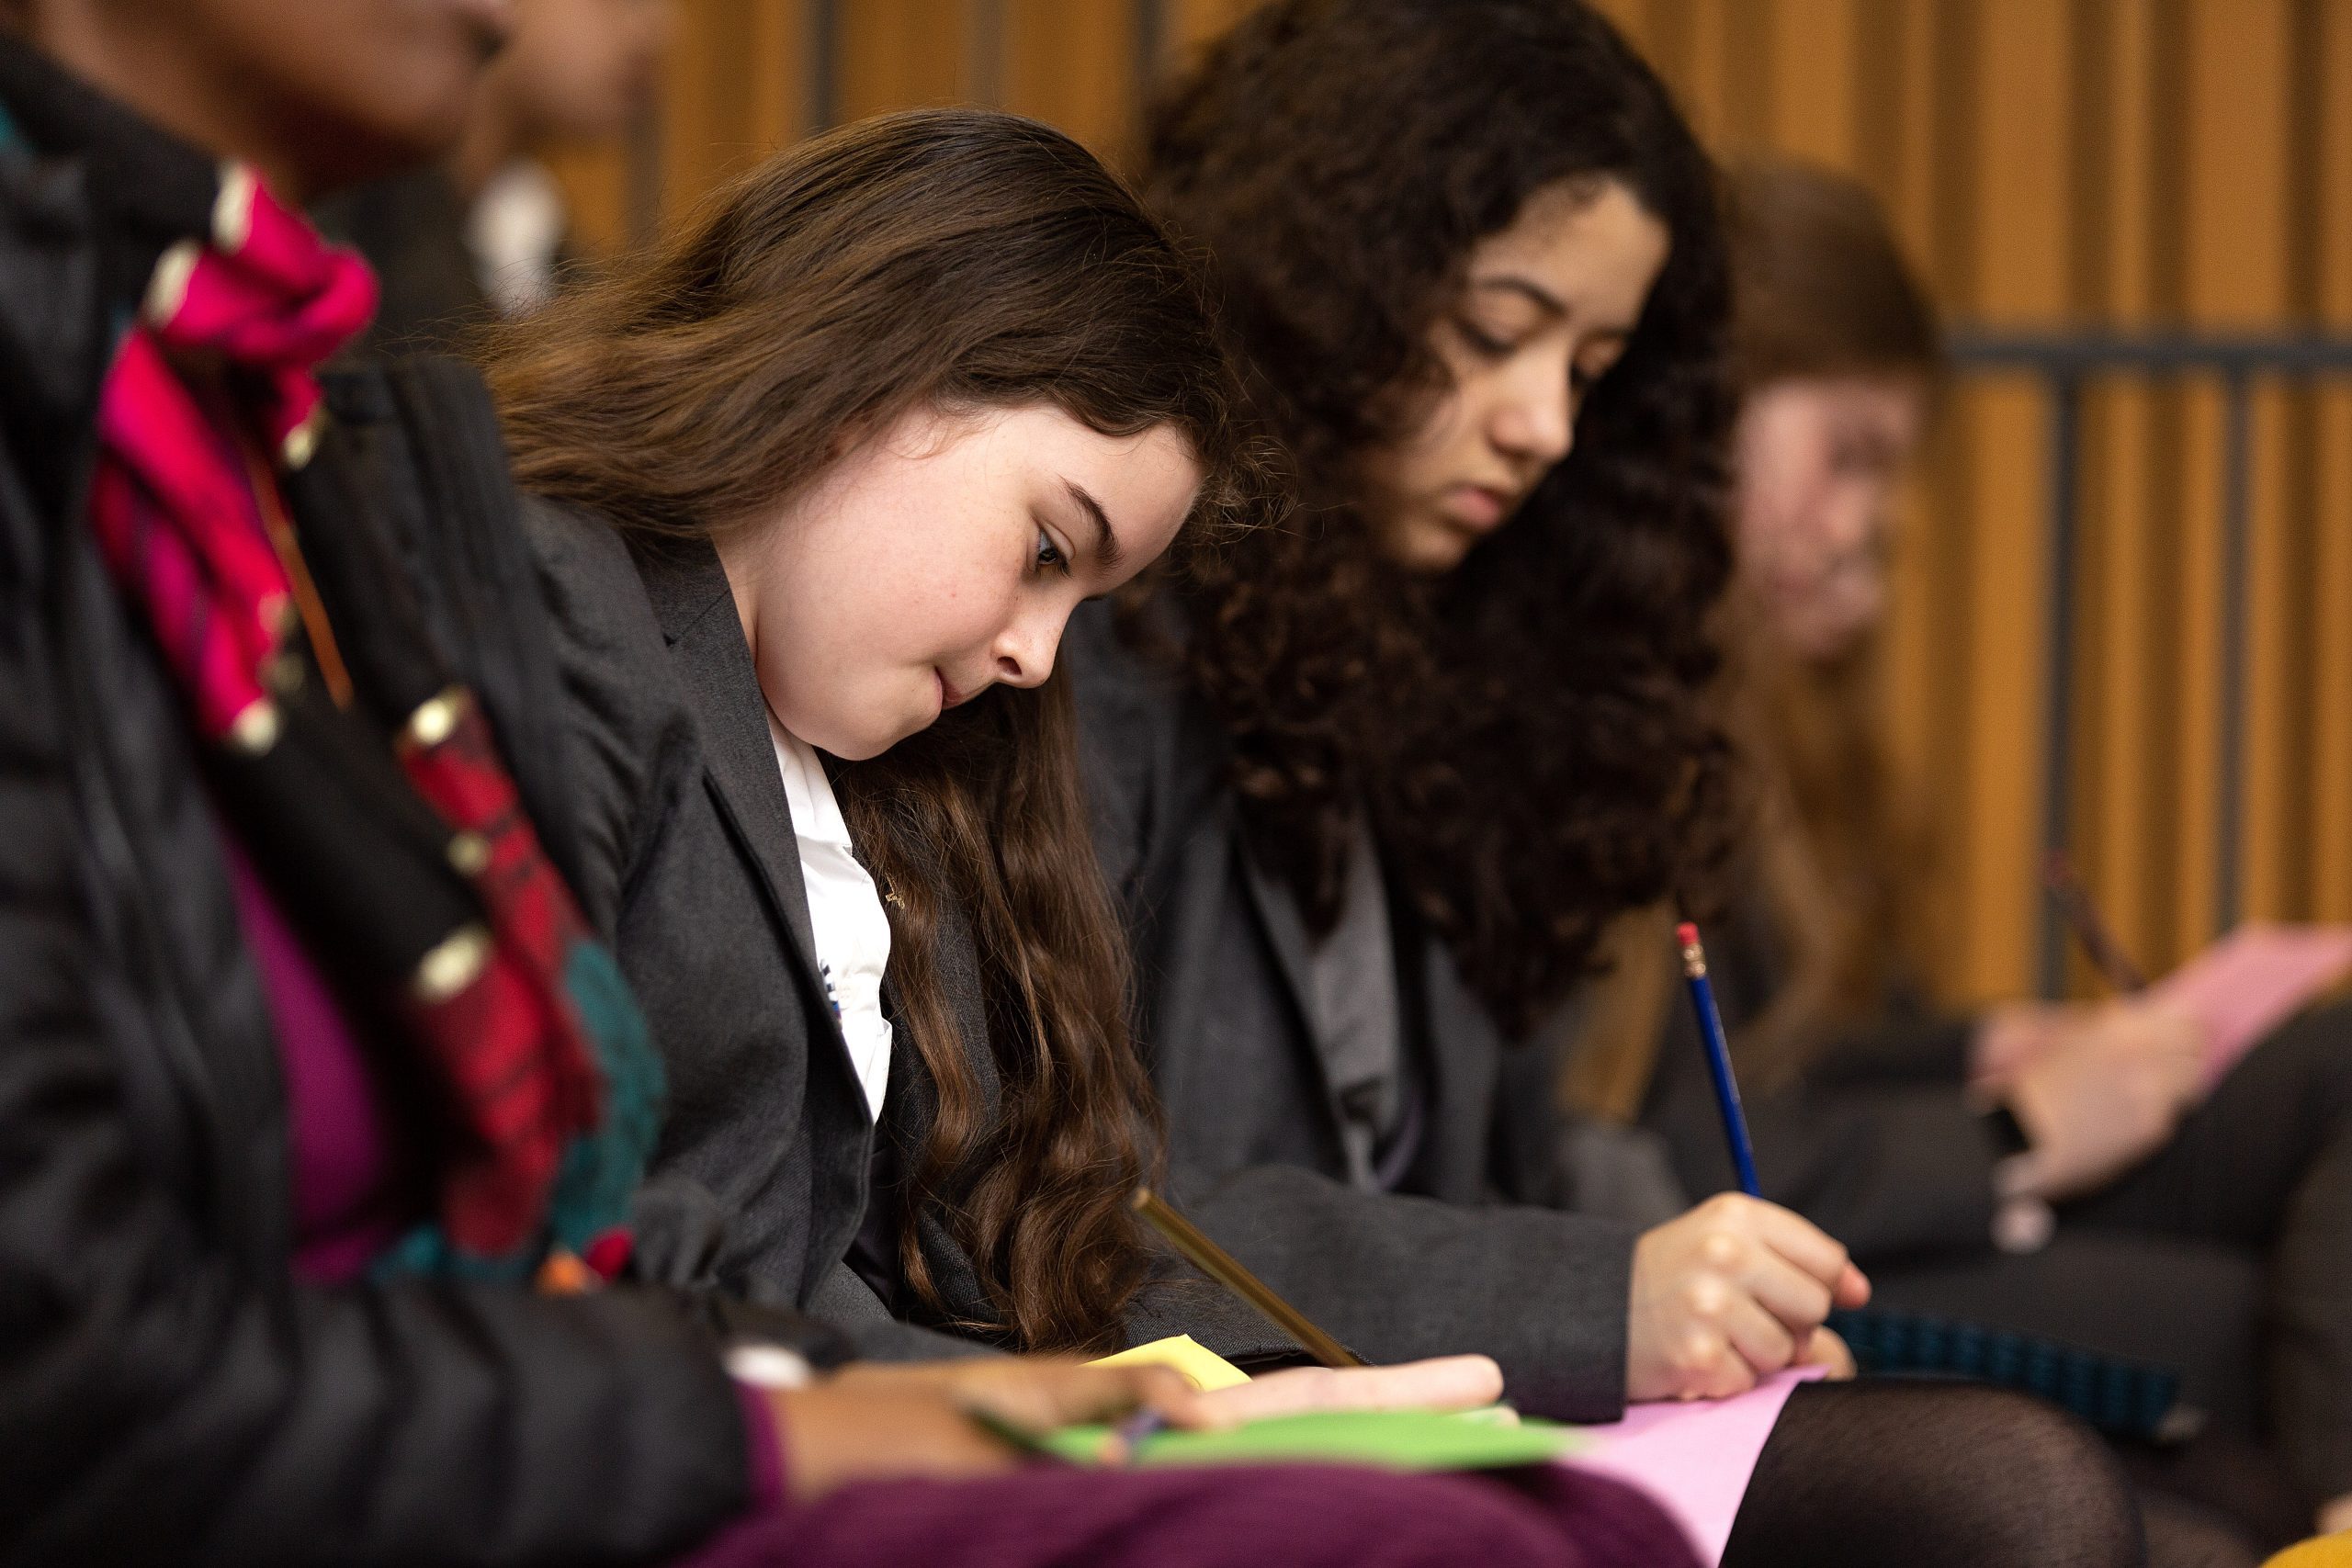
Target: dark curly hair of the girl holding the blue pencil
(1532, 735)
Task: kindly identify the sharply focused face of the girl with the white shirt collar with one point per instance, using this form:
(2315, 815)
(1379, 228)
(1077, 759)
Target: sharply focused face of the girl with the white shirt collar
(942, 558)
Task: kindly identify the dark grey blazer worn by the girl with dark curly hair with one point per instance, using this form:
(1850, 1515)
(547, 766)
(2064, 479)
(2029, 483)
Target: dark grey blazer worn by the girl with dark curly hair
(1469, 1252)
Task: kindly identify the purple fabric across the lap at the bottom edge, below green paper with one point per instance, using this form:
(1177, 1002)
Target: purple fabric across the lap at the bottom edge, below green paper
(1299, 1517)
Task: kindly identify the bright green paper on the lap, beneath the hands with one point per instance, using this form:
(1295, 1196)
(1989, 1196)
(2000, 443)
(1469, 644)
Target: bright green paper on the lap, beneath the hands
(1389, 1440)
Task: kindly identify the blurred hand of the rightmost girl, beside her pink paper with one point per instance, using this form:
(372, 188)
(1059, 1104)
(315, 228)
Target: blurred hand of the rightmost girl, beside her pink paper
(2106, 1097)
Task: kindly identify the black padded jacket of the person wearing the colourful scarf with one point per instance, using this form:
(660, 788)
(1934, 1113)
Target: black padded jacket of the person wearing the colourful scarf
(168, 1391)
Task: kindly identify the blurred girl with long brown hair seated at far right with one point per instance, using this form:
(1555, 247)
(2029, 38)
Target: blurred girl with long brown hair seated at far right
(2050, 1167)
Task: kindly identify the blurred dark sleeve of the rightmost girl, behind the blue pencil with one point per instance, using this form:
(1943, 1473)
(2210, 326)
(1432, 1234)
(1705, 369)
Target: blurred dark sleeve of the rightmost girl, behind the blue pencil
(1878, 1144)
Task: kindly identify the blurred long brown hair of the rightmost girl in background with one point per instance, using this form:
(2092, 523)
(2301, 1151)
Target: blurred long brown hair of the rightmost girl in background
(1838, 857)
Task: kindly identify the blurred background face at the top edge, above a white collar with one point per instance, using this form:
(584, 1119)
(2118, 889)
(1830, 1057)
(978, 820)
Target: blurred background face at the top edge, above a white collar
(582, 69)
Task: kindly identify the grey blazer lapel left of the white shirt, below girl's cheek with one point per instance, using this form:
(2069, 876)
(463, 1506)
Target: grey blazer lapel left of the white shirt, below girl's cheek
(697, 617)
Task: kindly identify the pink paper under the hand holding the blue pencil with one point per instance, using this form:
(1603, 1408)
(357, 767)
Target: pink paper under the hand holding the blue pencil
(1695, 1456)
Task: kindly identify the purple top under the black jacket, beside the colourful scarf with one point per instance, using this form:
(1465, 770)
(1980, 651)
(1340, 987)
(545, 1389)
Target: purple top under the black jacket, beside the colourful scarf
(345, 1186)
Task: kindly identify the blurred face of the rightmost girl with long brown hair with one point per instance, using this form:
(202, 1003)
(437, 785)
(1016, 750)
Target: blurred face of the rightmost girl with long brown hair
(1817, 471)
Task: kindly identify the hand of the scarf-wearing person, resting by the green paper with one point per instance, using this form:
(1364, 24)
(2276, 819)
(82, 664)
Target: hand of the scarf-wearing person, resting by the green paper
(881, 1423)
